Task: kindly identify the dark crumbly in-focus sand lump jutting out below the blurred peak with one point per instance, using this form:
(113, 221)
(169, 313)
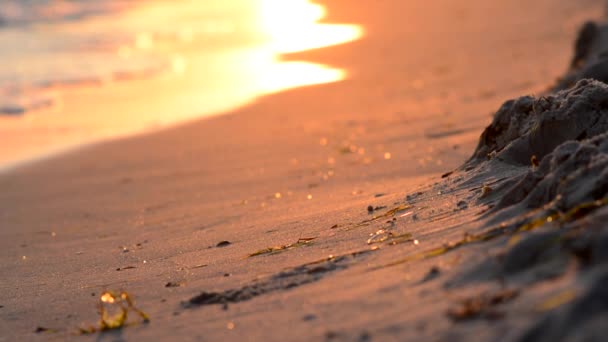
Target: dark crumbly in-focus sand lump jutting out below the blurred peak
(533, 127)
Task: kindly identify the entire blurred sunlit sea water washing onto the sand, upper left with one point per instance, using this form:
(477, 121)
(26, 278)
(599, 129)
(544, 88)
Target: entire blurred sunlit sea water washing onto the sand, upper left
(79, 72)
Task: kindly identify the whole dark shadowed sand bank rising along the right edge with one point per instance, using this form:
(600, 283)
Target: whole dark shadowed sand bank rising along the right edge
(548, 160)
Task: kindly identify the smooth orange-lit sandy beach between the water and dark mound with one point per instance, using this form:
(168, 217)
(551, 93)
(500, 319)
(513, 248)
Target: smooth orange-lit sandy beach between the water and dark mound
(320, 212)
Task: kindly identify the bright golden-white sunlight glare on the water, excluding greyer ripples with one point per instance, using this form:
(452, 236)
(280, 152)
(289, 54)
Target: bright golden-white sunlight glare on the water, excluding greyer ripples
(214, 57)
